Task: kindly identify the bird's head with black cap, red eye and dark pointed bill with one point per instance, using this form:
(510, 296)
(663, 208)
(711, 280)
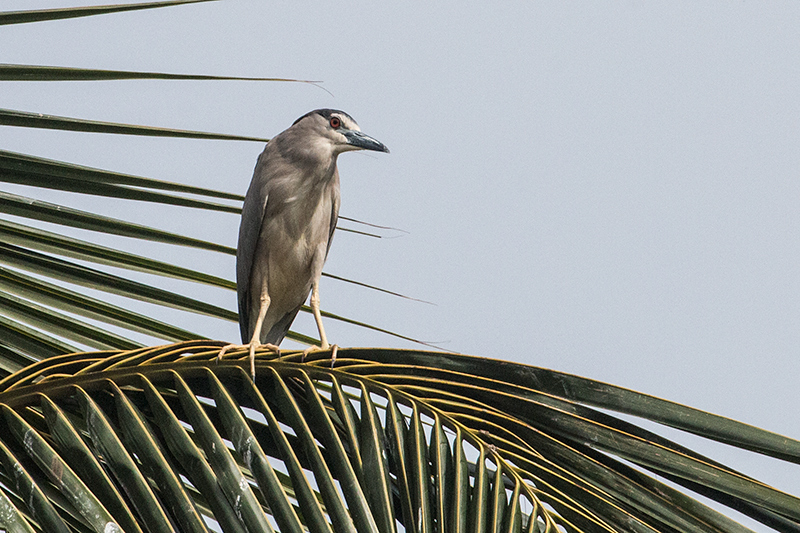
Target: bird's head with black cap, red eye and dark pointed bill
(330, 129)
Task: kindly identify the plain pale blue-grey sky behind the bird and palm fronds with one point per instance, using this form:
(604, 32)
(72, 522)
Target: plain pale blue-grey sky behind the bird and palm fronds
(608, 189)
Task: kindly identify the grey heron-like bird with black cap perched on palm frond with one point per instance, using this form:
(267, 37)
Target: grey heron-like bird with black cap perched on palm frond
(288, 219)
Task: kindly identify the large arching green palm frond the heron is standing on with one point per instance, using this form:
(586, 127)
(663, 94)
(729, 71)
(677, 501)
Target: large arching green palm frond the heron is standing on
(378, 443)
